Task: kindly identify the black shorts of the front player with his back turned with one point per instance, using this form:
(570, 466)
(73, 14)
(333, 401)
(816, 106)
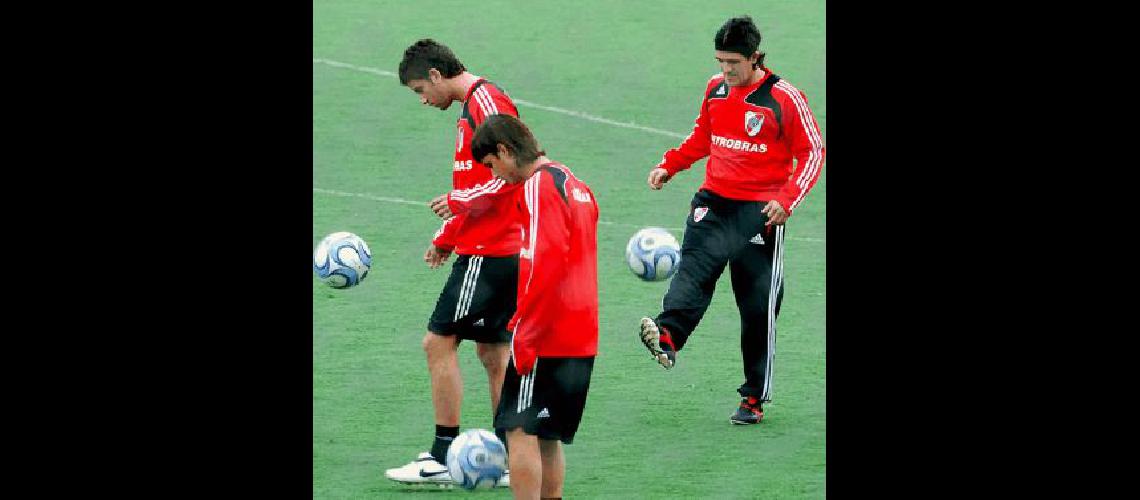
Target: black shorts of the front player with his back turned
(549, 401)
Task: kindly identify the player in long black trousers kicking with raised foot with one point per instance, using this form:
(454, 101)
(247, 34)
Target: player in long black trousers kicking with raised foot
(753, 126)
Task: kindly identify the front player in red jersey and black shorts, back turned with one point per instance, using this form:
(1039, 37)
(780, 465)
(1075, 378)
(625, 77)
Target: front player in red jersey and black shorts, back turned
(556, 325)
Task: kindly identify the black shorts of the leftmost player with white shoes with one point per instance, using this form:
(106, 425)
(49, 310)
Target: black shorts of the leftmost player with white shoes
(478, 300)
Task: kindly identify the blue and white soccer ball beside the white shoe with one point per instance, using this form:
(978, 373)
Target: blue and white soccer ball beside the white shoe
(477, 460)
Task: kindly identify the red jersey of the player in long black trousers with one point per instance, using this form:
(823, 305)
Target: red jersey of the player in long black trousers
(751, 135)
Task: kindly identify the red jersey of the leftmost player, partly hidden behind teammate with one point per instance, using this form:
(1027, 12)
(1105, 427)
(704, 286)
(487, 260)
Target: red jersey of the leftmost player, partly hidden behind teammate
(488, 232)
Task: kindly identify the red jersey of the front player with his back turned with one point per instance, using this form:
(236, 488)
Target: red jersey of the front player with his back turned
(557, 313)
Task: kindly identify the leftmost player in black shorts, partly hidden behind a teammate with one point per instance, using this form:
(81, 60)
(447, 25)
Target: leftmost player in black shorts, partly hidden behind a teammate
(478, 300)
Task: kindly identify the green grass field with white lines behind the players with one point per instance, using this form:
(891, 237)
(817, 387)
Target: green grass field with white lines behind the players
(579, 71)
